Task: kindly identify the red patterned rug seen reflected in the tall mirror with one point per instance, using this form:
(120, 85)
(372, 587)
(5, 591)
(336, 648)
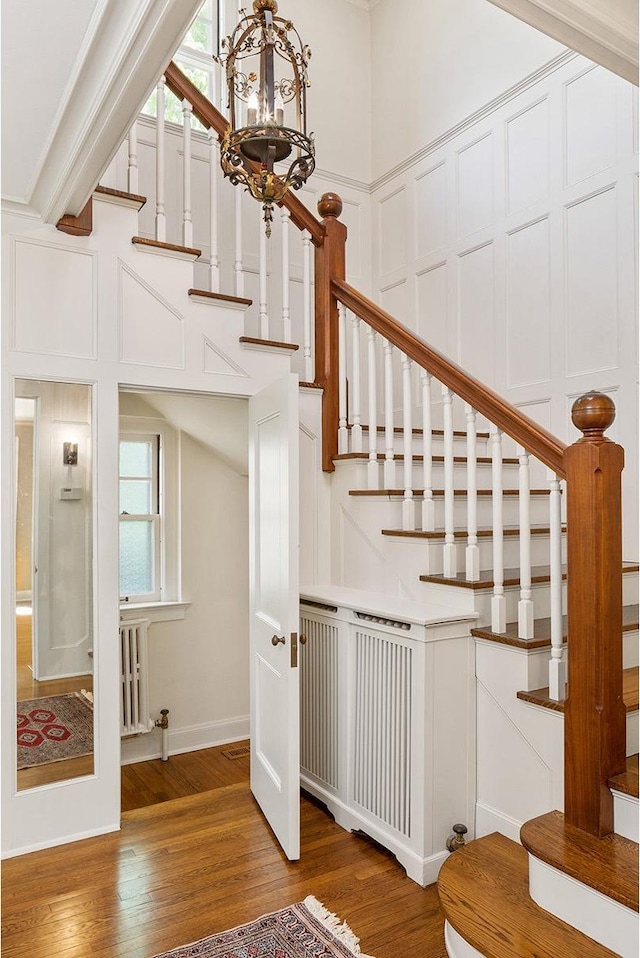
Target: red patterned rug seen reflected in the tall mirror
(54, 728)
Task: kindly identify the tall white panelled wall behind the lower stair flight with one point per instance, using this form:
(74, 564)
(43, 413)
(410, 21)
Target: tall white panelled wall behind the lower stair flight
(509, 245)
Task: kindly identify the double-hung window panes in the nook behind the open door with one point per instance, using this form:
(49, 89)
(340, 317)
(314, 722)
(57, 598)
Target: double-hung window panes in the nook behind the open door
(140, 521)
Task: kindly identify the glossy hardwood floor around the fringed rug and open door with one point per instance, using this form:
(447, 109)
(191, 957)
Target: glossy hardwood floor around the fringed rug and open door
(184, 868)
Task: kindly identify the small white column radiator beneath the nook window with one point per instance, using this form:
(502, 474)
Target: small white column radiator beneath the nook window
(134, 676)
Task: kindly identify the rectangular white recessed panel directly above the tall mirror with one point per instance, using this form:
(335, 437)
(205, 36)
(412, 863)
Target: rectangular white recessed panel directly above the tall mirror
(57, 313)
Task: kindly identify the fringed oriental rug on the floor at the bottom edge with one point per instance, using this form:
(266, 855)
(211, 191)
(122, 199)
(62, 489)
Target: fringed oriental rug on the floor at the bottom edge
(304, 930)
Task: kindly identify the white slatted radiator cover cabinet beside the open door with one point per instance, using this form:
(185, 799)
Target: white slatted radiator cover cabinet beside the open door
(387, 731)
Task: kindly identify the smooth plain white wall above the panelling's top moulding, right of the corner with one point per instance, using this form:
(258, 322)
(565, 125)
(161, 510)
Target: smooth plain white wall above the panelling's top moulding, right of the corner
(438, 62)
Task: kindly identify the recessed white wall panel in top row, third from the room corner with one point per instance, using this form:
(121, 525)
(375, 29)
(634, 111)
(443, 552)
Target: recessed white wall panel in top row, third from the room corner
(475, 186)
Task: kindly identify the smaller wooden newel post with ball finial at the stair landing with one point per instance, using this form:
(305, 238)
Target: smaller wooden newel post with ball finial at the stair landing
(329, 265)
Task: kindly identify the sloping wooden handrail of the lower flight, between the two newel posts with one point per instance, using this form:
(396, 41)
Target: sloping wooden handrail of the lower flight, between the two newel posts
(497, 410)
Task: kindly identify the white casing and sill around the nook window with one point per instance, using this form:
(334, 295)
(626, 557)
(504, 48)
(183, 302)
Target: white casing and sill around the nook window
(168, 541)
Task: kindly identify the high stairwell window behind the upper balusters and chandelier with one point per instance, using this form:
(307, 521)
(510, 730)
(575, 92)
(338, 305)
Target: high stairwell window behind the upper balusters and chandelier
(194, 57)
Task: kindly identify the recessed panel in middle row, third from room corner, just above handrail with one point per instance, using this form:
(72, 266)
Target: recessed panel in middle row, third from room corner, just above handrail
(476, 312)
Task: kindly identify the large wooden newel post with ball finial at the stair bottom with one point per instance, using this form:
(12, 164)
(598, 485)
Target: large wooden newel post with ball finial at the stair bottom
(595, 721)
